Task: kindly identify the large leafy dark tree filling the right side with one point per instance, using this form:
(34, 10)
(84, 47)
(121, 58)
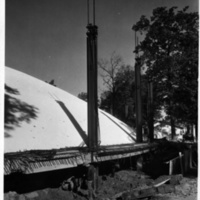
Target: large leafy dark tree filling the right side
(170, 52)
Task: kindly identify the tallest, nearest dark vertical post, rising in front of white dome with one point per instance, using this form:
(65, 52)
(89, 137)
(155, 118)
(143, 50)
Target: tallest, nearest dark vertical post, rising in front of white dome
(92, 86)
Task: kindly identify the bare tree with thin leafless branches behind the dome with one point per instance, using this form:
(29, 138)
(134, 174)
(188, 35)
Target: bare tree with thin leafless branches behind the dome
(109, 70)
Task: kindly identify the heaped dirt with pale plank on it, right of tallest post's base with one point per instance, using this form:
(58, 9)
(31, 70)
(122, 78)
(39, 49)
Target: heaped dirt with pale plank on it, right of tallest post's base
(130, 185)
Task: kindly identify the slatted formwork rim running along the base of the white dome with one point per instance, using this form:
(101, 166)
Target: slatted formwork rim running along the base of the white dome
(29, 162)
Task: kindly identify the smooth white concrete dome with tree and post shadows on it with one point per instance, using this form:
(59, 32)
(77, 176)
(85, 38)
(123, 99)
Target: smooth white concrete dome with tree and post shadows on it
(35, 119)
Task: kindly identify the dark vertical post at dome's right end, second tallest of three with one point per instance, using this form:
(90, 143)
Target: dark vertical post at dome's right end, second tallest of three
(138, 100)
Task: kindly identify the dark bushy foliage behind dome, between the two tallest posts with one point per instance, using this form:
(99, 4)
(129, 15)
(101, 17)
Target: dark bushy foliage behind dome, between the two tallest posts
(124, 95)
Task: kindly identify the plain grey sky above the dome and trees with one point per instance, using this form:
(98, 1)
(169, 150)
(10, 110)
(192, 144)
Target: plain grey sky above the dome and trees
(47, 38)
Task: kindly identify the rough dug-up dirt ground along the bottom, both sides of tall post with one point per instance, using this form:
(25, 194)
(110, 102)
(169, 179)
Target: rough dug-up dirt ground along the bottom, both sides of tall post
(125, 185)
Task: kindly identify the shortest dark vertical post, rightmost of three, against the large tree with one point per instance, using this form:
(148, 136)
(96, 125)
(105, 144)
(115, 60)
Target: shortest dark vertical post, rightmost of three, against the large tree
(150, 112)
